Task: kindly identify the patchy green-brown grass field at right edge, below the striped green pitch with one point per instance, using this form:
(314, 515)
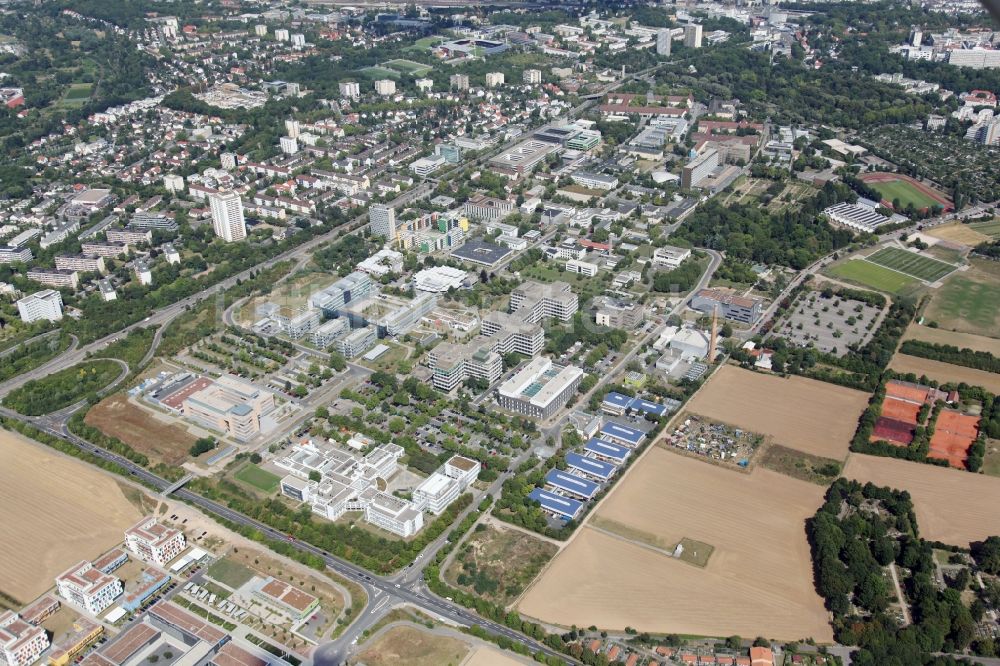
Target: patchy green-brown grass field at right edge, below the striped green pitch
(969, 301)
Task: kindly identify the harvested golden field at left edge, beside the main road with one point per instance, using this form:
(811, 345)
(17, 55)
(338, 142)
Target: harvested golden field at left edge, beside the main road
(57, 511)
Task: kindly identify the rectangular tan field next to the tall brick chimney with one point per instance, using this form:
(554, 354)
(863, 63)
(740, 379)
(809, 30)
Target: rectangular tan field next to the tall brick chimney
(804, 414)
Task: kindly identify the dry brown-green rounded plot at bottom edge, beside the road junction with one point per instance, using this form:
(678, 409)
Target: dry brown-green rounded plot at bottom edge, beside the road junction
(409, 645)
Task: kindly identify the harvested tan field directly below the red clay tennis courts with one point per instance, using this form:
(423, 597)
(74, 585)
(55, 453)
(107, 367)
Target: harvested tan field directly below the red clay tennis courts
(952, 506)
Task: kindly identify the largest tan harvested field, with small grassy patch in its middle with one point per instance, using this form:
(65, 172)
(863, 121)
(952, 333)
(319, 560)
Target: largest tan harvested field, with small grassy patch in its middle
(761, 561)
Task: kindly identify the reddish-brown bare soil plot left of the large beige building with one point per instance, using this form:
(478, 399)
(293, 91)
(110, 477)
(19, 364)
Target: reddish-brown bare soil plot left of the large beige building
(118, 417)
